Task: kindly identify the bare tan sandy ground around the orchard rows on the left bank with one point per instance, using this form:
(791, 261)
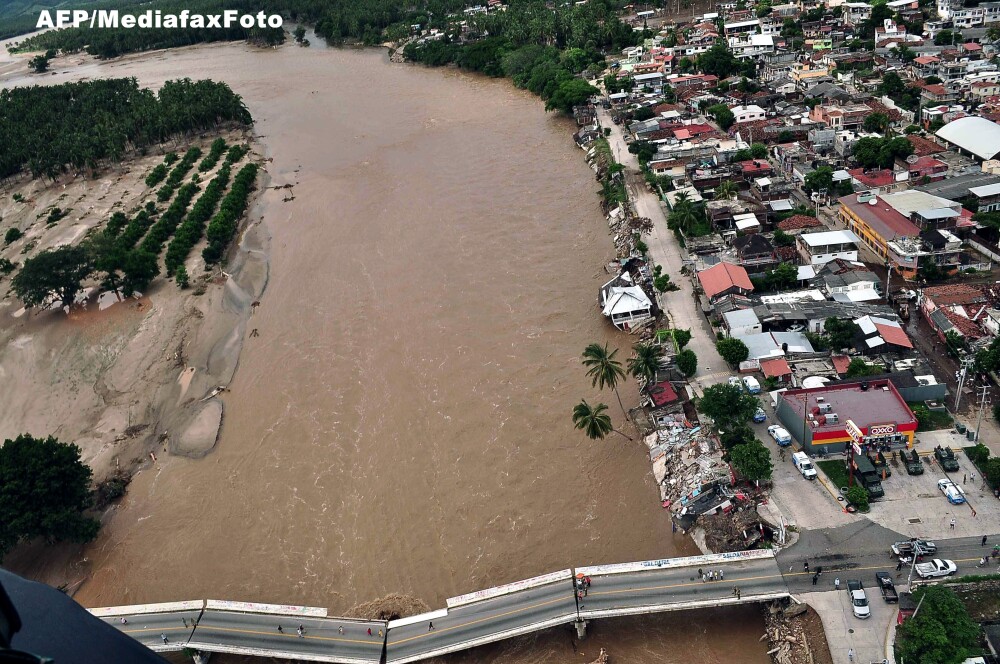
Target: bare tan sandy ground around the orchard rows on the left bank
(120, 377)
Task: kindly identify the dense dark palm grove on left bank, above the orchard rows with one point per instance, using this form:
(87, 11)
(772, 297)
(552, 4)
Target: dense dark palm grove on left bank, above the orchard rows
(51, 129)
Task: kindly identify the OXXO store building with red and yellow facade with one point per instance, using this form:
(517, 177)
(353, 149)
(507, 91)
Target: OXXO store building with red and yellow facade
(827, 419)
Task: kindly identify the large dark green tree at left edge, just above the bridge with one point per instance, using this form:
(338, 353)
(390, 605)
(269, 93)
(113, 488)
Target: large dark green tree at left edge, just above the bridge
(44, 490)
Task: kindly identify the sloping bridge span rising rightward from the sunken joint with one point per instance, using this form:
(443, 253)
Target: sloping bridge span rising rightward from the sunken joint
(484, 622)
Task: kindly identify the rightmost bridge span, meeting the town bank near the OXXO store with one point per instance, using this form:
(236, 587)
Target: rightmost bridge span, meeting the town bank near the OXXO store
(681, 587)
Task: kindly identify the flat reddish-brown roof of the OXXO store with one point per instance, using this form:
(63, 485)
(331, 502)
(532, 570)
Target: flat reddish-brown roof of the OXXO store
(880, 403)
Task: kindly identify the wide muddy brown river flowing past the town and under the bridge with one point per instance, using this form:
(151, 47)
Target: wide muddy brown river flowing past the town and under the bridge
(402, 422)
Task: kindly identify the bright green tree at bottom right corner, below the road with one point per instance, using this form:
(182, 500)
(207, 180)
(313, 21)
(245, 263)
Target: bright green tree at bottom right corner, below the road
(941, 632)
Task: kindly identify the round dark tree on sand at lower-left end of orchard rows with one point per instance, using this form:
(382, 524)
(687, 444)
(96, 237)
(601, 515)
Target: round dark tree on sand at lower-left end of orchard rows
(55, 273)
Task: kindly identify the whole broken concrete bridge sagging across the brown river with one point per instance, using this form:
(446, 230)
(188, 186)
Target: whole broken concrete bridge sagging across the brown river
(468, 621)
